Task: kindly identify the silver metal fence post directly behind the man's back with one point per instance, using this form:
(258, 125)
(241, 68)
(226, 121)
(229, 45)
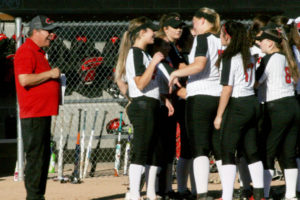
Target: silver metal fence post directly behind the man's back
(18, 22)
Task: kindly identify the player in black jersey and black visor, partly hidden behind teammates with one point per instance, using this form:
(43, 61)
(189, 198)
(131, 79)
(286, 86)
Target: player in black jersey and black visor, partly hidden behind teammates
(171, 31)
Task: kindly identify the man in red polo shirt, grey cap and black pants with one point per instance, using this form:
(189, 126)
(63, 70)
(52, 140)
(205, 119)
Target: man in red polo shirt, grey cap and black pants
(38, 96)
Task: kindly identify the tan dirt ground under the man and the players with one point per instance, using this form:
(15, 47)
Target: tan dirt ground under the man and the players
(99, 188)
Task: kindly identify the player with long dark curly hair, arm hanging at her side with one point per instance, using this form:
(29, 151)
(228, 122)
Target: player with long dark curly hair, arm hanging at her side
(240, 103)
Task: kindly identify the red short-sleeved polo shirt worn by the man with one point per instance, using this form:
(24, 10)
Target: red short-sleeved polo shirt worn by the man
(40, 100)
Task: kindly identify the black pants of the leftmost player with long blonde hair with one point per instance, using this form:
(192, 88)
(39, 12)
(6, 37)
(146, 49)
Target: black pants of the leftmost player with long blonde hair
(143, 113)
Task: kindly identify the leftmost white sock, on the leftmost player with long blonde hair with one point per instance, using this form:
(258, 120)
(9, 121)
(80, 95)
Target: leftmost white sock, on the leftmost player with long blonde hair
(135, 173)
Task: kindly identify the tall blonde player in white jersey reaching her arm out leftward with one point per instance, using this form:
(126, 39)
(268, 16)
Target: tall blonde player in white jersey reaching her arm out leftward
(203, 91)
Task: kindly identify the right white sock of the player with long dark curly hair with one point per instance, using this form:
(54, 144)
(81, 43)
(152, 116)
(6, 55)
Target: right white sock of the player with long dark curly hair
(257, 174)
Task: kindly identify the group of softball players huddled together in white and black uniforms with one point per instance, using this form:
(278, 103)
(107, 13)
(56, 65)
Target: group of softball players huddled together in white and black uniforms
(233, 91)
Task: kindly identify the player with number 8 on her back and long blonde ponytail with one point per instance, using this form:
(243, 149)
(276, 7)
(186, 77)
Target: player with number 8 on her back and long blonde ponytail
(281, 110)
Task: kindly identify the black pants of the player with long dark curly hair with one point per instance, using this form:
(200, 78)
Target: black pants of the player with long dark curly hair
(239, 130)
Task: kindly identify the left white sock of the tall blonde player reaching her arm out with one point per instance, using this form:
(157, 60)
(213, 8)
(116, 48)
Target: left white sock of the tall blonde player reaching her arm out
(201, 172)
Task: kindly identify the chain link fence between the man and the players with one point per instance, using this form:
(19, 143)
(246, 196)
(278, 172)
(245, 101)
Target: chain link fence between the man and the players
(86, 52)
